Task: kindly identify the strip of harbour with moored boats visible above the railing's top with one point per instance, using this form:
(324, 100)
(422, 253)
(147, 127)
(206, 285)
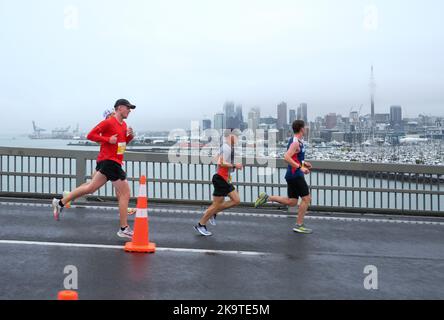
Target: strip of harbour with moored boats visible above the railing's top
(422, 152)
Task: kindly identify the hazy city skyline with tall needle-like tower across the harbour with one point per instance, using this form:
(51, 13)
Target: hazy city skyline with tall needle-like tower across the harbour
(389, 127)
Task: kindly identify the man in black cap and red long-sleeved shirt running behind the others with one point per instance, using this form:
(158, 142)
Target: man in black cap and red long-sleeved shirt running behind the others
(113, 136)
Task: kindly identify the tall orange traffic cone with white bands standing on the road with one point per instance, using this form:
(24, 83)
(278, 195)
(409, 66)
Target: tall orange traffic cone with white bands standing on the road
(141, 241)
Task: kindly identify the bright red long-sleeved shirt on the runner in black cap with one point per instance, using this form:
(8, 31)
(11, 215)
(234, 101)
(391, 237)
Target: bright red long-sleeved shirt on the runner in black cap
(101, 134)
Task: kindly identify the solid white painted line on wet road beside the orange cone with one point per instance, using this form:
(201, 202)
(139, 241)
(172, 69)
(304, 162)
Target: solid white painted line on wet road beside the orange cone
(102, 246)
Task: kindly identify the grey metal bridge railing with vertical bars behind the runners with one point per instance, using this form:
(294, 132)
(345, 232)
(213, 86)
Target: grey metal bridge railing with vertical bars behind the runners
(335, 186)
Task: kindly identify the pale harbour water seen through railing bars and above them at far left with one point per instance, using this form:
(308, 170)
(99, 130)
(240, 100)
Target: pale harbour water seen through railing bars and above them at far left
(394, 199)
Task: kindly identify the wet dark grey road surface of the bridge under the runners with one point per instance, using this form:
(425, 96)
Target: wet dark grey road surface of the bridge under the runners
(253, 254)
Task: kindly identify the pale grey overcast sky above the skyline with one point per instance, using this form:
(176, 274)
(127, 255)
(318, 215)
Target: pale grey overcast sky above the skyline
(65, 62)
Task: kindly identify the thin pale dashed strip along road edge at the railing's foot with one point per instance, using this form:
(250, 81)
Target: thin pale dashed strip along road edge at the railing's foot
(244, 214)
